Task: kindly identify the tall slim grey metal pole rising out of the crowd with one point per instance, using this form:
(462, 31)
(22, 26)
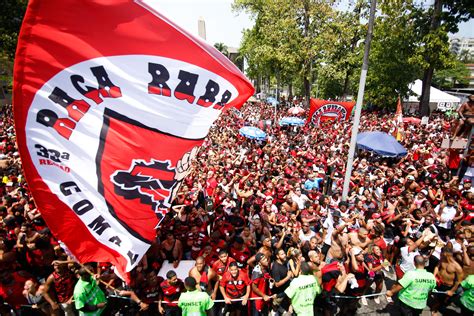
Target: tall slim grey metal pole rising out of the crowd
(360, 97)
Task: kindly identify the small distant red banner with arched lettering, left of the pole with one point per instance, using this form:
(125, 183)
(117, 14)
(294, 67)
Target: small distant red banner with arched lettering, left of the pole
(322, 110)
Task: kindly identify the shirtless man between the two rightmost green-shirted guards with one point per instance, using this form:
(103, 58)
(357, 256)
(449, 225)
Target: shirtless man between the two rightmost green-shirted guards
(450, 273)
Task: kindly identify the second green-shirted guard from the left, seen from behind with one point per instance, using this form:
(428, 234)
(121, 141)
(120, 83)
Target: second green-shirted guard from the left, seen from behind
(194, 302)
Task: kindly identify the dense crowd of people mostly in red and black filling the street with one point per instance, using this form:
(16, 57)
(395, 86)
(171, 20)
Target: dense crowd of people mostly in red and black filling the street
(265, 224)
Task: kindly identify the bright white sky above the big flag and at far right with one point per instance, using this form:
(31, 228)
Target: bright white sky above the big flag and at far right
(224, 25)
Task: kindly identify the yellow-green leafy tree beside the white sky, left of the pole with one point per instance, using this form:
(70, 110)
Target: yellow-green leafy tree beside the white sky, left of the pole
(287, 38)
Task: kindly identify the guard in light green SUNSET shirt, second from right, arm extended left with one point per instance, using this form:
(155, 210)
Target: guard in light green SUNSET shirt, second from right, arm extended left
(414, 288)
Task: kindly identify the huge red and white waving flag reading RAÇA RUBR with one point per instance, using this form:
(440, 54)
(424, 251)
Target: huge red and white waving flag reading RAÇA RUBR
(111, 103)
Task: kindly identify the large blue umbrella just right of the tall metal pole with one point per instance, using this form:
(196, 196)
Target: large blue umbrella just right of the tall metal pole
(381, 143)
